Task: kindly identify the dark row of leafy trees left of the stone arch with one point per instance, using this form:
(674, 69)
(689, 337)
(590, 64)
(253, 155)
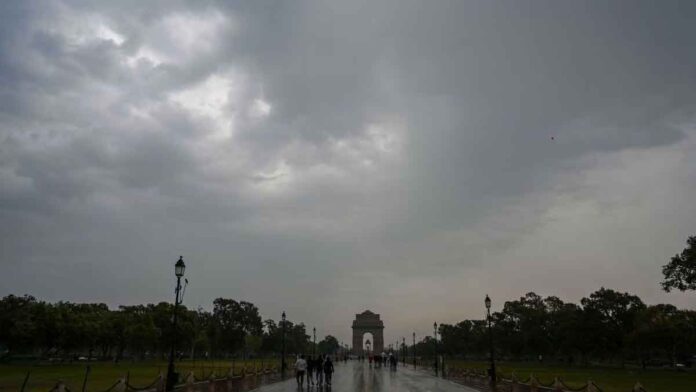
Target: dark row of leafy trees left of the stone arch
(67, 330)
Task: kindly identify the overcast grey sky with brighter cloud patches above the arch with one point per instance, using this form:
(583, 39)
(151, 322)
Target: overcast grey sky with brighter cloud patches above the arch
(324, 158)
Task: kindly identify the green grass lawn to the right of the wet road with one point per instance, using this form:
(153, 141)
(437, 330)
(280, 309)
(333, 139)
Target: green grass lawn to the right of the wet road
(607, 378)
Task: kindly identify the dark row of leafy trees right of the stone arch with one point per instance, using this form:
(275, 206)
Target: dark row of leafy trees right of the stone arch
(606, 326)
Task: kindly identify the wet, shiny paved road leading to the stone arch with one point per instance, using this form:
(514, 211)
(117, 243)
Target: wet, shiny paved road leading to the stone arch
(359, 377)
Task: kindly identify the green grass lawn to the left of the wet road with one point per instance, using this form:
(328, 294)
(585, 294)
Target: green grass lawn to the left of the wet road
(104, 374)
